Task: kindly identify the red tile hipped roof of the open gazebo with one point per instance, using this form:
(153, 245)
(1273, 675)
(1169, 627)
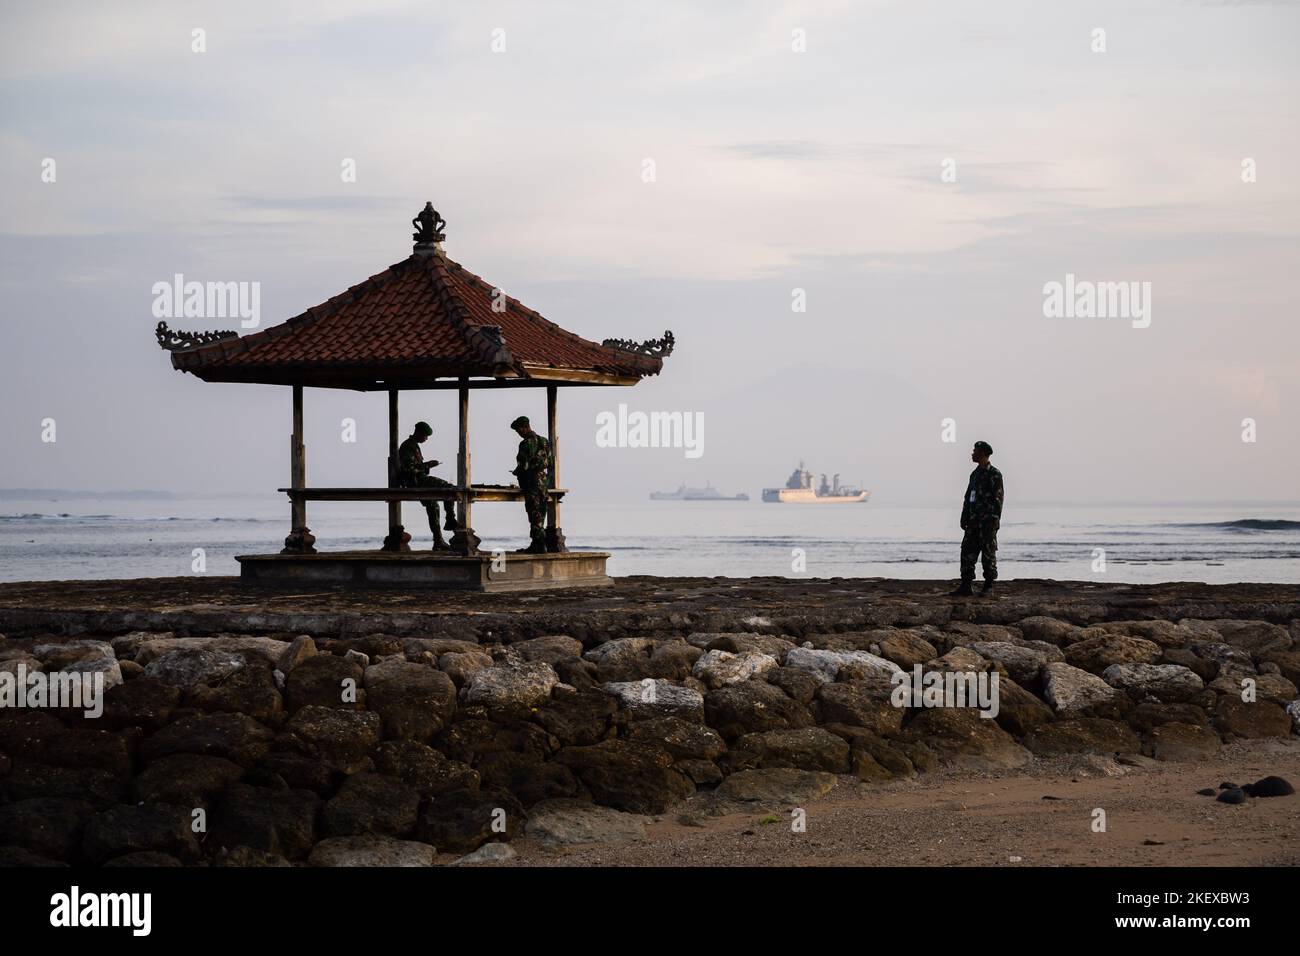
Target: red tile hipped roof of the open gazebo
(422, 319)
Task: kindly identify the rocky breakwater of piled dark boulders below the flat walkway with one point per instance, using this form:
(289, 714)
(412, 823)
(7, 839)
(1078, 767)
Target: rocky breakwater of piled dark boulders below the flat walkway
(406, 750)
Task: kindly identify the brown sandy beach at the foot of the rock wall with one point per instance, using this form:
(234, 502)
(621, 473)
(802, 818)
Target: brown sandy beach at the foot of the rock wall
(1155, 819)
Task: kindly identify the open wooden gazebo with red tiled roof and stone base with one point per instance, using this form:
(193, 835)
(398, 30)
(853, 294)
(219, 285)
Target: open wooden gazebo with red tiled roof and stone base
(424, 323)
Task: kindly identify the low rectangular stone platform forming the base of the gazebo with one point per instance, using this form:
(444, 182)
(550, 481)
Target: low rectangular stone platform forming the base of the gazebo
(439, 570)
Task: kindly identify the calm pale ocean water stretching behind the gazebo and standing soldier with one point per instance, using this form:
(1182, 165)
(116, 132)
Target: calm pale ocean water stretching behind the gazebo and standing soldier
(51, 539)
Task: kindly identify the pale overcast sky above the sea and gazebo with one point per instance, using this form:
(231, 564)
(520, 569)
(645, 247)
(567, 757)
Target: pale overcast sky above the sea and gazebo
(774, 171)
